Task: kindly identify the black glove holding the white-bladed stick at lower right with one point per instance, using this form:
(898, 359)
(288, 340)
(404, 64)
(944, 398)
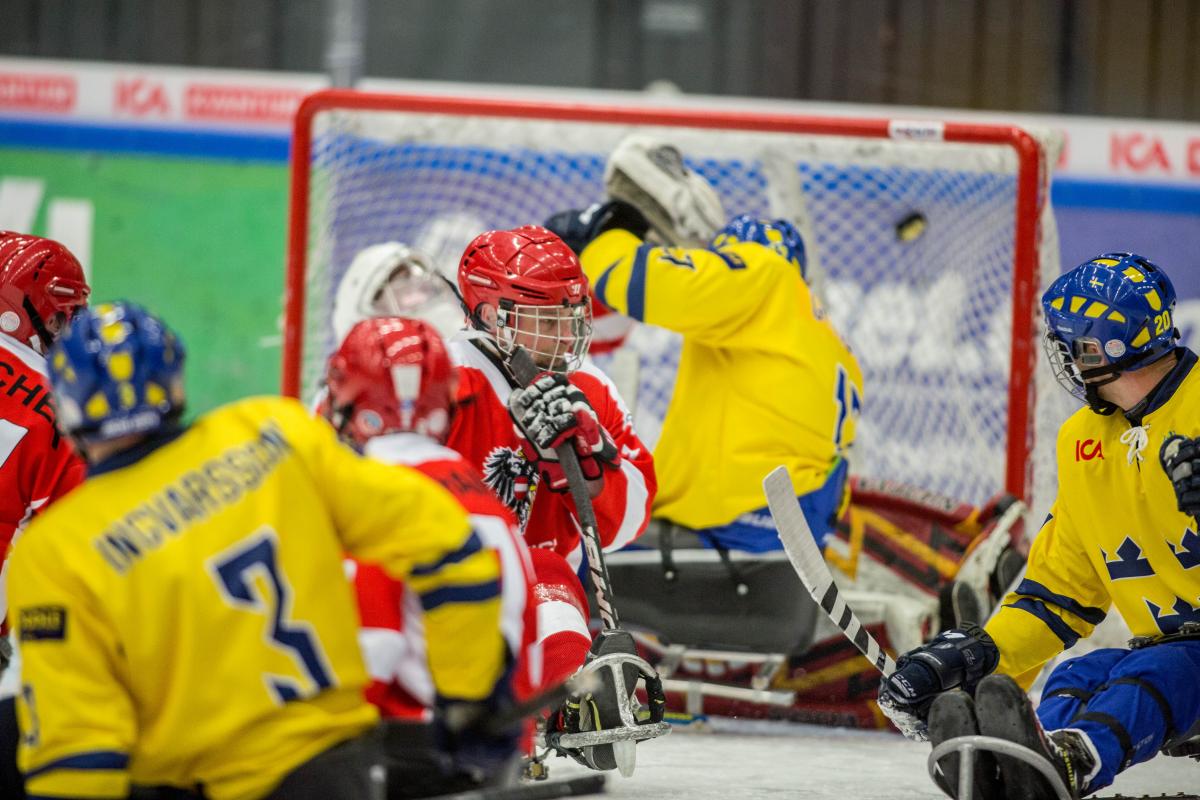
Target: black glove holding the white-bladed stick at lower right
(956, 659)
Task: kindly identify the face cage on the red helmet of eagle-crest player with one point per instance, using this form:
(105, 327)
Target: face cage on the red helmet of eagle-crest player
(556, 336)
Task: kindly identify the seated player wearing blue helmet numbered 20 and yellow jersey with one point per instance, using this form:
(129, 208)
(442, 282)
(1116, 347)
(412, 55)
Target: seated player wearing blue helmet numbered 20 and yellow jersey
(1123, 533)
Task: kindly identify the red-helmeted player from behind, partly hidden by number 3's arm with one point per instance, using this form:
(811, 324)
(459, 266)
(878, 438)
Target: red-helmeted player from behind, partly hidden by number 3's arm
(392, 398)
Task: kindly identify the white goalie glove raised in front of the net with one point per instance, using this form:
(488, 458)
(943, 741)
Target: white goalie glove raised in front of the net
(682, 208)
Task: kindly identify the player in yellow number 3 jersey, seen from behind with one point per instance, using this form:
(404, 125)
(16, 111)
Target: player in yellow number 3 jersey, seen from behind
(184, 616)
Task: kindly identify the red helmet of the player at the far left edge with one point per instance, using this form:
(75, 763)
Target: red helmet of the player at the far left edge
(41, 287)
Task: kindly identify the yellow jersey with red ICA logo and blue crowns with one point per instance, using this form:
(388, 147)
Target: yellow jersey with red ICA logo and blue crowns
(1114, 537)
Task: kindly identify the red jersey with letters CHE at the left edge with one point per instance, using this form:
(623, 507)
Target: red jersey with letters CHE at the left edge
(38, 465)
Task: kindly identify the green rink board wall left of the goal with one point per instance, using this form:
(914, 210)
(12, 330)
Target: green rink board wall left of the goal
(199, 242)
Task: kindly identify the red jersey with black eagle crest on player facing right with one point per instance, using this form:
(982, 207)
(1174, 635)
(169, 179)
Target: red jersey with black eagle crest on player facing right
(483, 432)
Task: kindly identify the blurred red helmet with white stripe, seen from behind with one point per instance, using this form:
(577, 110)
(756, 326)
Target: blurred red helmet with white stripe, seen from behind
(391, 375)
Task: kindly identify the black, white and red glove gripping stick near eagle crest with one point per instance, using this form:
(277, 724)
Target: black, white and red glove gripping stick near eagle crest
(553, 412)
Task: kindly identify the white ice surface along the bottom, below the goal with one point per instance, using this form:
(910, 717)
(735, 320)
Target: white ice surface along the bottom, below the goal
(759, 761)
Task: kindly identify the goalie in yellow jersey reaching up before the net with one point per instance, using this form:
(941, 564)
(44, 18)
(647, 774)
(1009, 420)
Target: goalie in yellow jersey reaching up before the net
(764, 377)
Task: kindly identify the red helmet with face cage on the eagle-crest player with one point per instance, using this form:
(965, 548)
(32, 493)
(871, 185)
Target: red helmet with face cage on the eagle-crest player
(538, 291)
